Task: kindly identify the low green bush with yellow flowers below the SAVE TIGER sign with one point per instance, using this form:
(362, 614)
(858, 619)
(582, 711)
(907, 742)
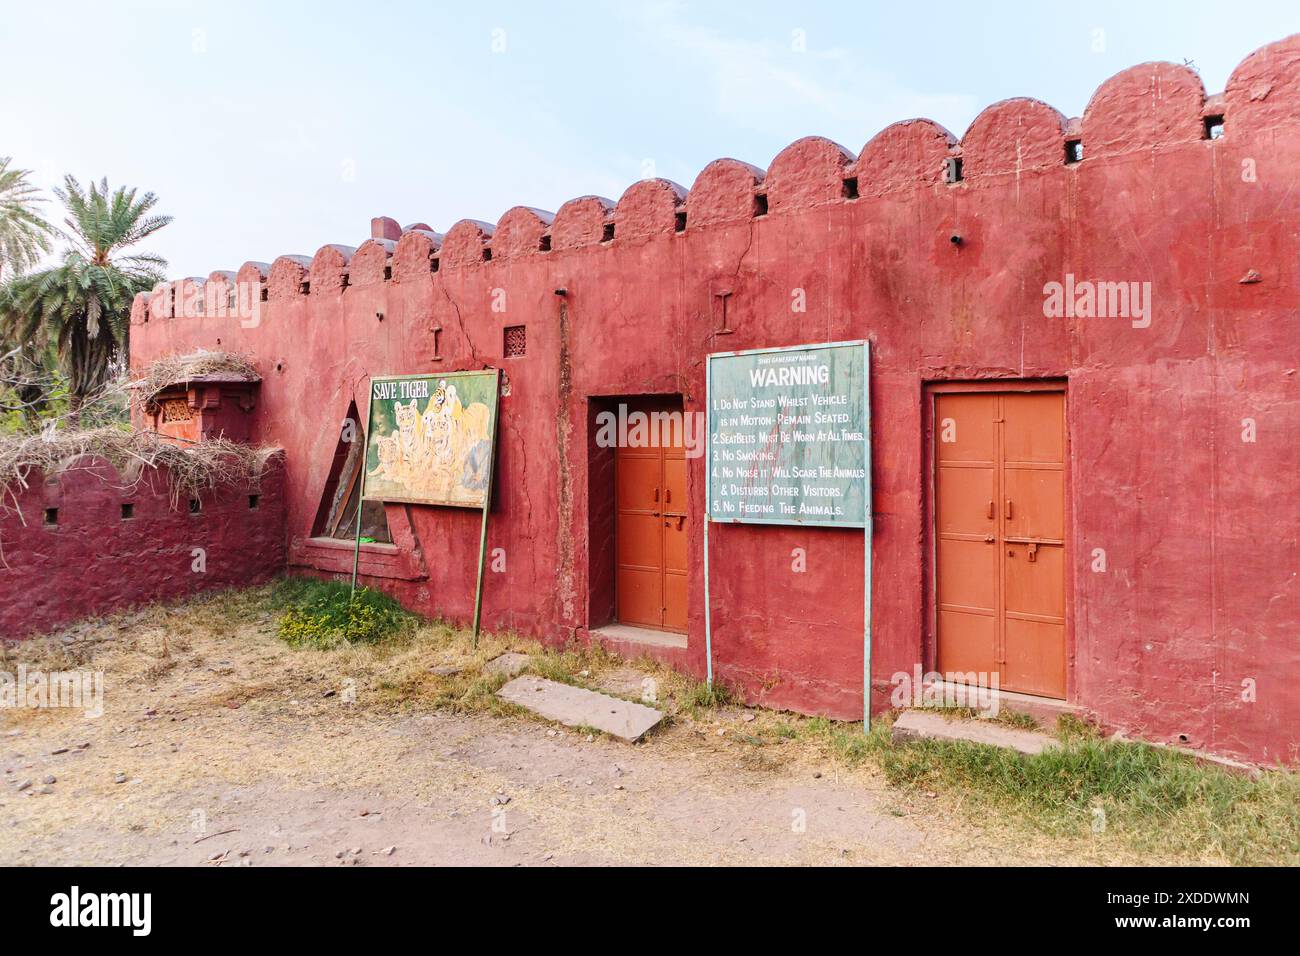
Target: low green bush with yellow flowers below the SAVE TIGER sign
(324, 615)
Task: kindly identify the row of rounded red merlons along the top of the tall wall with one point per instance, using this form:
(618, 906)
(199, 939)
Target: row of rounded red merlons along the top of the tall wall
(1141, 110)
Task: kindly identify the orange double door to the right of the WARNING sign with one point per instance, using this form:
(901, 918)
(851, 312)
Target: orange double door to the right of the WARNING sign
(1000, 537)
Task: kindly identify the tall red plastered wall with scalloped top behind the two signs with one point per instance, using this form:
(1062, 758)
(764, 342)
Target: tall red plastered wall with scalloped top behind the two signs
(1199, 527)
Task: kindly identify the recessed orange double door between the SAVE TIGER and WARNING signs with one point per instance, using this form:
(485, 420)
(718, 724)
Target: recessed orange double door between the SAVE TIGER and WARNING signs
(652, 531)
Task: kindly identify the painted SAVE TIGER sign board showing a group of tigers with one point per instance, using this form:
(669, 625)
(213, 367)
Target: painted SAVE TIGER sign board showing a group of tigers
(430, 439)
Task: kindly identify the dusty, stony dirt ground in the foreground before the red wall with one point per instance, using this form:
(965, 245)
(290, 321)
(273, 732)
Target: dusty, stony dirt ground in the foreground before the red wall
(222, 746)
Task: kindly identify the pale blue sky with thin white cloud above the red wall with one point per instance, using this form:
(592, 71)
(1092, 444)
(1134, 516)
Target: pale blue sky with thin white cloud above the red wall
(278, 128)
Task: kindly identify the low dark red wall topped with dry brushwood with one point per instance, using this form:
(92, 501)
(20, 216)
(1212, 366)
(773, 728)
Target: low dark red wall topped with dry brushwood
(93, 561)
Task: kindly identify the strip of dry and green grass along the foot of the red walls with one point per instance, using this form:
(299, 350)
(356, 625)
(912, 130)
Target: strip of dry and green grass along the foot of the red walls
(219, 663)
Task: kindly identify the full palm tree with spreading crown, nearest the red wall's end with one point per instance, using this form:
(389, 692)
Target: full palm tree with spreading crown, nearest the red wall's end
(83, 308)
